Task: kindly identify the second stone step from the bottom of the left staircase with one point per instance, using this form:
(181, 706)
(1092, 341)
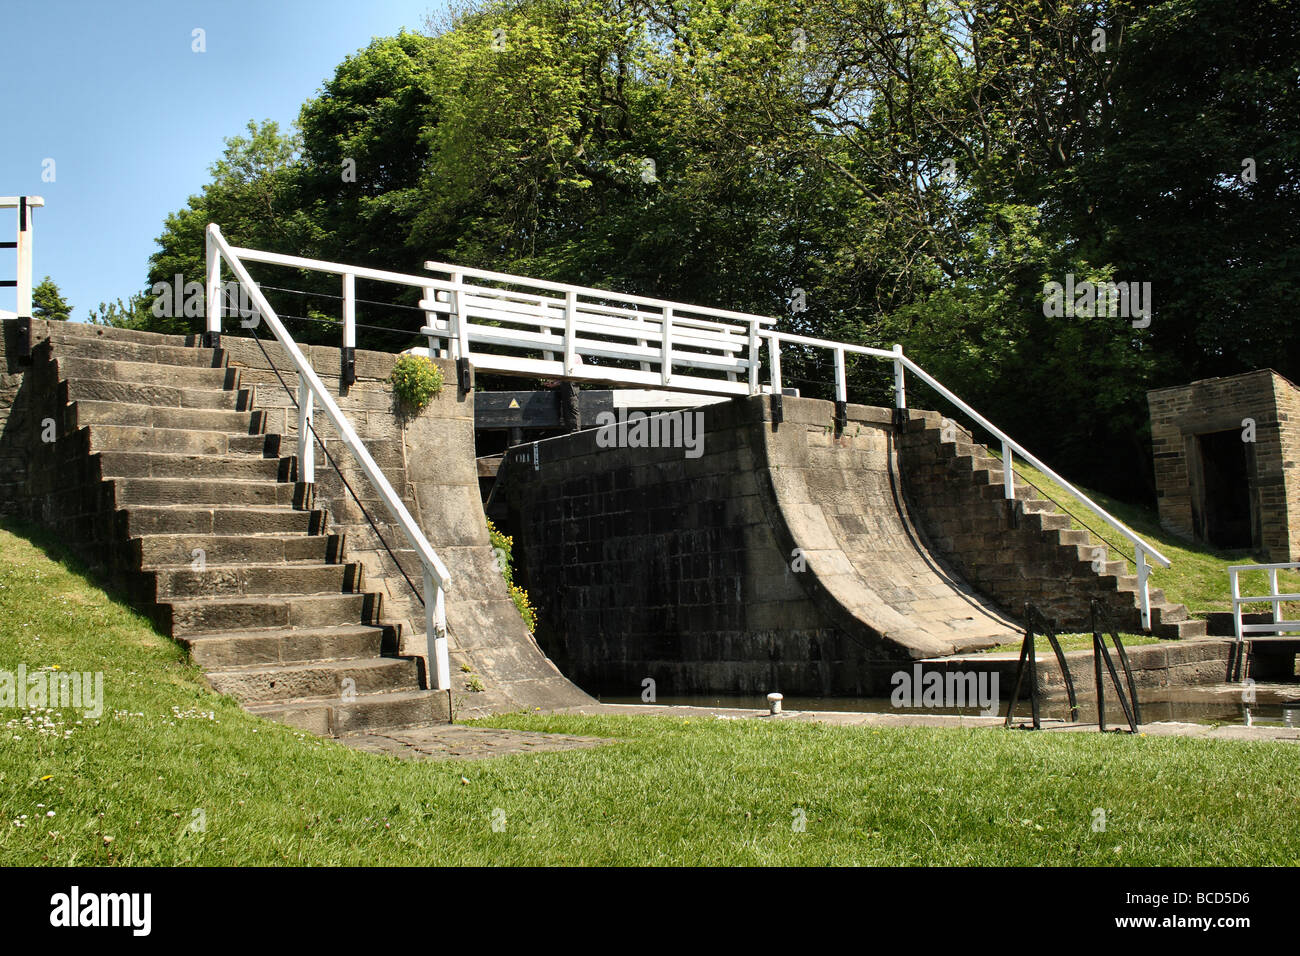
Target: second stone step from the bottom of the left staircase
(318, 680)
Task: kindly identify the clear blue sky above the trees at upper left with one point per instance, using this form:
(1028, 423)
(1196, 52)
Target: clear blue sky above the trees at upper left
(133, 118)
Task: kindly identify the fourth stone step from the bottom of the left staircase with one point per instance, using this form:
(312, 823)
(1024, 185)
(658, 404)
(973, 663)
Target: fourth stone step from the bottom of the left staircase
(218, 615)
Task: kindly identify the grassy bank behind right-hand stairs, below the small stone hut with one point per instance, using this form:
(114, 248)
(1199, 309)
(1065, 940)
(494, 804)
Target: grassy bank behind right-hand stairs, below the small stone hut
(1198, 577)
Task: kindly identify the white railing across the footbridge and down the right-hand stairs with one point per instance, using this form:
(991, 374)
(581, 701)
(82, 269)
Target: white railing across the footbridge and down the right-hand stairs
(539, 328)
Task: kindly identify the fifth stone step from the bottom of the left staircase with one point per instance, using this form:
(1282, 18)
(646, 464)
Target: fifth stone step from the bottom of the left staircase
(249, 581)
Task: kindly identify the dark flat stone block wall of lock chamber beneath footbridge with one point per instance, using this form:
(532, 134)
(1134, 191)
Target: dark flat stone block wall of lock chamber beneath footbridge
(649, 565)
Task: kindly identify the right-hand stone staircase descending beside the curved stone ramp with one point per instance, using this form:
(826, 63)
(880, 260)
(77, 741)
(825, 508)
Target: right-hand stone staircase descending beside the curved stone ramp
(957, 487)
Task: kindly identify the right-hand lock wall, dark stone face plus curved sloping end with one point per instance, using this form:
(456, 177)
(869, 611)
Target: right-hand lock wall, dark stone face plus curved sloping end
(782, 557)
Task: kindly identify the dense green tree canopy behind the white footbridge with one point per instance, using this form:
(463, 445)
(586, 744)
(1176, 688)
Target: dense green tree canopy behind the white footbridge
(918, 171)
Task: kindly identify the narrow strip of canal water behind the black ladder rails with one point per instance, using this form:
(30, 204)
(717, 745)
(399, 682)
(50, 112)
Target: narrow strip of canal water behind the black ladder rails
(1223, 704)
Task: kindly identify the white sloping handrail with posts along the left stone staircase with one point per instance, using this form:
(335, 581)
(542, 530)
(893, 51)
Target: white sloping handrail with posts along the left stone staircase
(311, 391)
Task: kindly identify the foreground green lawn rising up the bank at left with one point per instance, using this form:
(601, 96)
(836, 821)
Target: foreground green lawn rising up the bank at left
(670, 791)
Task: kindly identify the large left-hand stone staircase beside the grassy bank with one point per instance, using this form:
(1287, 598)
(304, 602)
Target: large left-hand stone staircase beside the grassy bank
(201, 517)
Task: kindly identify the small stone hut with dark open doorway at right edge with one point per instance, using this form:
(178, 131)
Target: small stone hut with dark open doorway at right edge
(1227, 453)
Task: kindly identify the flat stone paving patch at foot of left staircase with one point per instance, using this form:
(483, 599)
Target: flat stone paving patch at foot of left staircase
(448, 742)
